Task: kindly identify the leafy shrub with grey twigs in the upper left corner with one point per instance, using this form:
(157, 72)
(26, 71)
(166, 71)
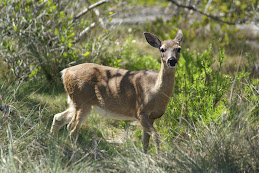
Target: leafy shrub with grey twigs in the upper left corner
(39, 38)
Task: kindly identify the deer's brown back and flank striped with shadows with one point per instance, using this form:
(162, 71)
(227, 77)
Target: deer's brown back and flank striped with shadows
(111, 89)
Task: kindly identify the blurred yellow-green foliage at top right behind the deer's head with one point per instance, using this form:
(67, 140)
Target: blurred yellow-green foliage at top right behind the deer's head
(200, 30)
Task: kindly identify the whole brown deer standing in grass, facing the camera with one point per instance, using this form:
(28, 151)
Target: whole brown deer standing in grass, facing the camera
(121, 94)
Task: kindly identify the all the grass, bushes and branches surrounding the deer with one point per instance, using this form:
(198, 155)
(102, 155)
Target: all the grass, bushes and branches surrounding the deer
(211, 124)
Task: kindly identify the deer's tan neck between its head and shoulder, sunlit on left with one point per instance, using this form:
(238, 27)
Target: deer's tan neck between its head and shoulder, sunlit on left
(165, 81)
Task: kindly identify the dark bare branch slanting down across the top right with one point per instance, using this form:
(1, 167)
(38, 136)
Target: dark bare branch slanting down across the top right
(192, 7)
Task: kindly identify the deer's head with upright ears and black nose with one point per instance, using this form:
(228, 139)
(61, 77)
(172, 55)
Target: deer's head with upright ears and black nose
(170, 49)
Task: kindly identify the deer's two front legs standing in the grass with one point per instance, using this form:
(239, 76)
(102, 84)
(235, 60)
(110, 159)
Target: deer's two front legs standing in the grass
(148, 129)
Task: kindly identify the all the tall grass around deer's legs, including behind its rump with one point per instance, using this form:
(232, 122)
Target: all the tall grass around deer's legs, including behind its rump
(228, 143)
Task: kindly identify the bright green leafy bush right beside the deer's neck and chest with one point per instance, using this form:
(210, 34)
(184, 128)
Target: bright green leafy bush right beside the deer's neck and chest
(201, 93)
